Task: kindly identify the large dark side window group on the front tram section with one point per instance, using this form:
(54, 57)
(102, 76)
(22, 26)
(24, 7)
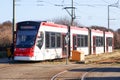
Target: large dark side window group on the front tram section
(53, 40)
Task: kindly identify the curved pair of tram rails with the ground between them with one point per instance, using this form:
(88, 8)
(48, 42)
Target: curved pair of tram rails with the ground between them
(77, 73)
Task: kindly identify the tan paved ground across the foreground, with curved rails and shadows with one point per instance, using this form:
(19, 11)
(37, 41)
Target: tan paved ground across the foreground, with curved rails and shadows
(57, 71)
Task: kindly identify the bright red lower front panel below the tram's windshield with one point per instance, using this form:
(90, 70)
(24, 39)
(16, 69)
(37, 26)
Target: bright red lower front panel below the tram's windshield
(24, 52)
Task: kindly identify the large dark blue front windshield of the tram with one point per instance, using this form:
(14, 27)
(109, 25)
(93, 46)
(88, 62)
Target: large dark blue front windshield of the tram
(26, 38)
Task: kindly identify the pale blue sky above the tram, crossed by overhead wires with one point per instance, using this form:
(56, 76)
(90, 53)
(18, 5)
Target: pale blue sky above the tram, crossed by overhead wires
(88, 12)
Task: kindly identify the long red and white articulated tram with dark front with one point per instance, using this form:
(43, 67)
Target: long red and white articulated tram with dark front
(36, 41)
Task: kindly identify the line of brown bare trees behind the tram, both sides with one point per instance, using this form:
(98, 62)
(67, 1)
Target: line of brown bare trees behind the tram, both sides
(6, 32)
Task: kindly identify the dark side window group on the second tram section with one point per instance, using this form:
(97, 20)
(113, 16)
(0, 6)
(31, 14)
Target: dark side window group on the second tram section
(82, 40)
